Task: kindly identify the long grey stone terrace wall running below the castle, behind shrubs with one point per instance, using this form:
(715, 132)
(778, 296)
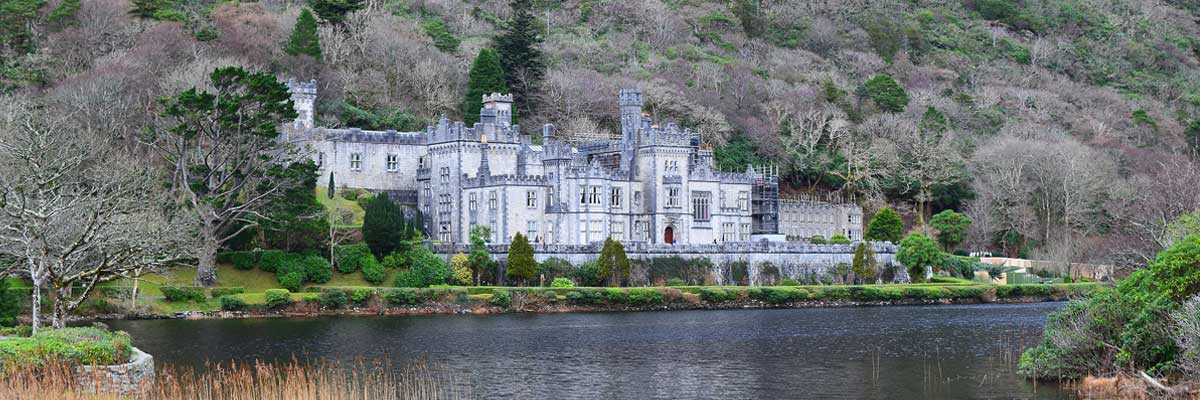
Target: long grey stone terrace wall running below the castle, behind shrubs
(794, 260)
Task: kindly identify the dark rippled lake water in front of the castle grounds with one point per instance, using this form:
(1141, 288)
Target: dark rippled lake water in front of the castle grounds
(895, 353)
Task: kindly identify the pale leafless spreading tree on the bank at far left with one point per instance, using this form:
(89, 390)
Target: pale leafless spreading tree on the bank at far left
(76, 211)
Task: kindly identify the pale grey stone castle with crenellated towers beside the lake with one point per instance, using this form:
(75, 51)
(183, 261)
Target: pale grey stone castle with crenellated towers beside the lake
(656, 186)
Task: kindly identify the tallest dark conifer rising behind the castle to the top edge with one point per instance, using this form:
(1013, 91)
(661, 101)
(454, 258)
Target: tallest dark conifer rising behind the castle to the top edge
(520, 57)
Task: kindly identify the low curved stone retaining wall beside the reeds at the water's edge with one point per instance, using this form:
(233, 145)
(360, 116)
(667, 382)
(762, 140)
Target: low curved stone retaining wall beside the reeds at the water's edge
(125, 380)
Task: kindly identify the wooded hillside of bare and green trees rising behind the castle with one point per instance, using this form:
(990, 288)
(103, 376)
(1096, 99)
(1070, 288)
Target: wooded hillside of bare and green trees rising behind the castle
(1066, 129)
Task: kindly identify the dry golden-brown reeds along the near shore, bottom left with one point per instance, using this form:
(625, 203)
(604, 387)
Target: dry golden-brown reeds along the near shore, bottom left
(253, 381)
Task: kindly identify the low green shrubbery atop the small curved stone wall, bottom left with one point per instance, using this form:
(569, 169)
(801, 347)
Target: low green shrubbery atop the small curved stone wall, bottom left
(79, 347)
